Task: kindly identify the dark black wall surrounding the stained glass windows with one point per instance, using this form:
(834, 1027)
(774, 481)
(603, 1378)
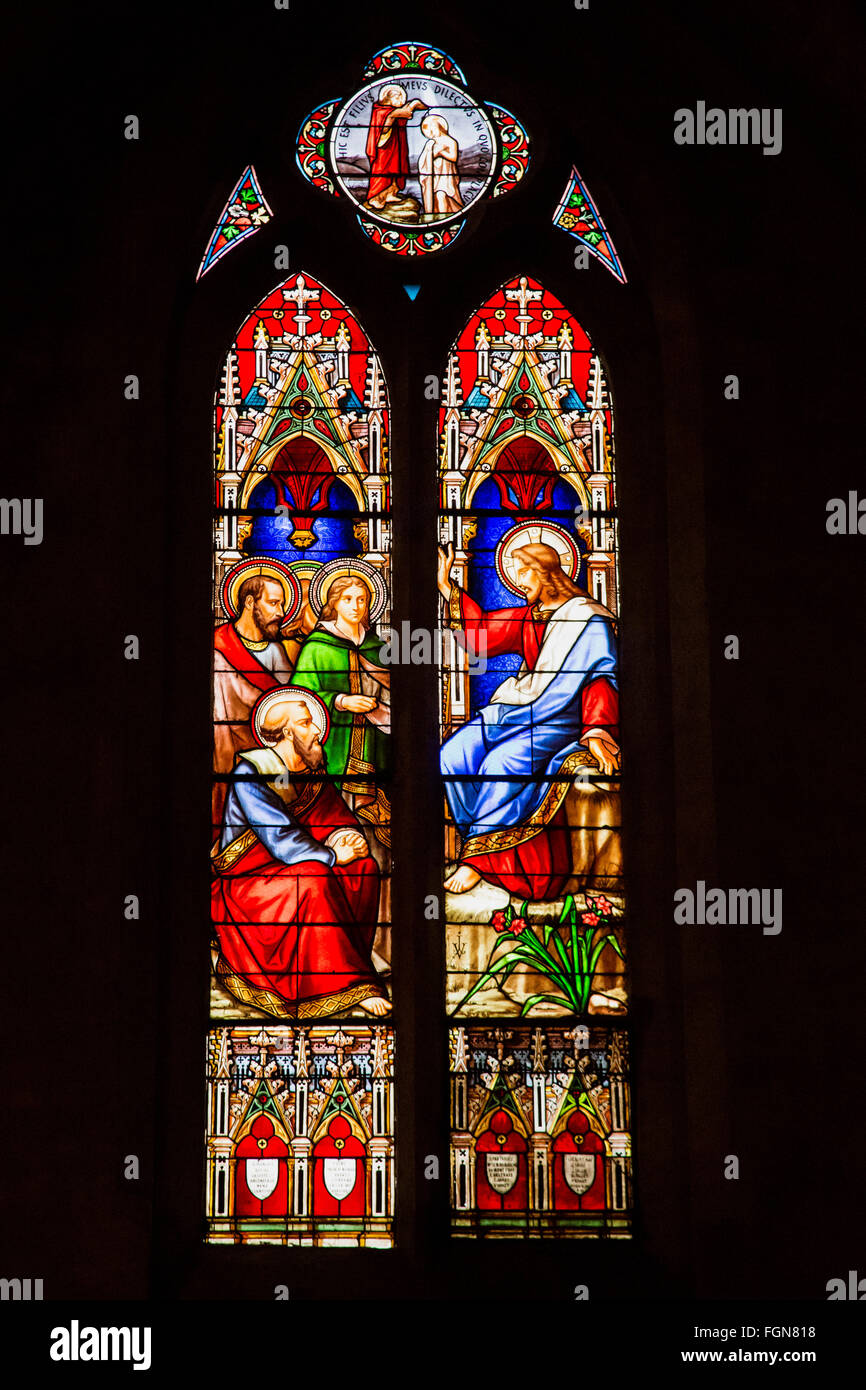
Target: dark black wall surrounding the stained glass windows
(744, 774)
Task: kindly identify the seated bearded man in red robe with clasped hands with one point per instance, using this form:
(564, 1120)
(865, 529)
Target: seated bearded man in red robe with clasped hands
(295, 894)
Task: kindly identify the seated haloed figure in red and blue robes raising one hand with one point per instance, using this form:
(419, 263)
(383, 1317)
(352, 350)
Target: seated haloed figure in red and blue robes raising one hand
(539, 726)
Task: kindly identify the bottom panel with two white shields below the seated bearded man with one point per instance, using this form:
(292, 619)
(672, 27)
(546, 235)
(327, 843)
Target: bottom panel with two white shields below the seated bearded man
(301, 1135)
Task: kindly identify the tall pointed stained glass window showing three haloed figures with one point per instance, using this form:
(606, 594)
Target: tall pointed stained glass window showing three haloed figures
(301, 1052)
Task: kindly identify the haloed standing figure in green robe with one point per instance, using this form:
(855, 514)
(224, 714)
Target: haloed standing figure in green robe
(340, 661)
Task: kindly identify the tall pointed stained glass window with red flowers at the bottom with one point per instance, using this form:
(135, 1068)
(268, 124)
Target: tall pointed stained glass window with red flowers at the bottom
(536, 976)
